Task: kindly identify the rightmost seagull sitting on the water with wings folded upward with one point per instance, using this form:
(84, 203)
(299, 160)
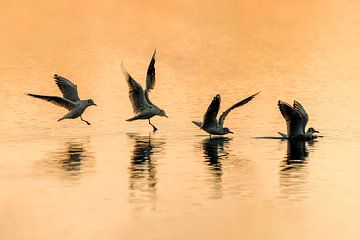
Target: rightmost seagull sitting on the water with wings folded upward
(296, 120)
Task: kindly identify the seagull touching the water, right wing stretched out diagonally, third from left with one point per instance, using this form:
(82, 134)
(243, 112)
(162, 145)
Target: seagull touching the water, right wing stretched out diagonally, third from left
(210, 123)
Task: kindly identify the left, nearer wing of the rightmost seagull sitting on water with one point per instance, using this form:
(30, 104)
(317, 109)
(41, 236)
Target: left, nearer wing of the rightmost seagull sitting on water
(293, 118)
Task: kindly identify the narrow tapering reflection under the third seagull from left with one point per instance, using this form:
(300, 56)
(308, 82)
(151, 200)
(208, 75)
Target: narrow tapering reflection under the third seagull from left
(214, 152)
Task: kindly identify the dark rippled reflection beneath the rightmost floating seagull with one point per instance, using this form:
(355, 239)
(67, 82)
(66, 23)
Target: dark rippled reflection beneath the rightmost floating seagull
(294, 170)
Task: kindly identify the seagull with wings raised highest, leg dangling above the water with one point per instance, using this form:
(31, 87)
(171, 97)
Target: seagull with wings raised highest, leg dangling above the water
(142, 106)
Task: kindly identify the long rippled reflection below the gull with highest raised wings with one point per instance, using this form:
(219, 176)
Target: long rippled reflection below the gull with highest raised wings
(143, 164)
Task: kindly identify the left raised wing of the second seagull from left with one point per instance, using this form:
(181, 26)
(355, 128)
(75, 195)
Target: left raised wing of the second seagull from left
(136, 93)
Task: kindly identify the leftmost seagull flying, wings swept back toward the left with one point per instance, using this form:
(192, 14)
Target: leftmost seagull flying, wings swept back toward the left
(70, 99)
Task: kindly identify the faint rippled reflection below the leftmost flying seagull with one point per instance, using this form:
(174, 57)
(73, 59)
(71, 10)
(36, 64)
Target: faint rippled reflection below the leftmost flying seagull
(70, 161)
